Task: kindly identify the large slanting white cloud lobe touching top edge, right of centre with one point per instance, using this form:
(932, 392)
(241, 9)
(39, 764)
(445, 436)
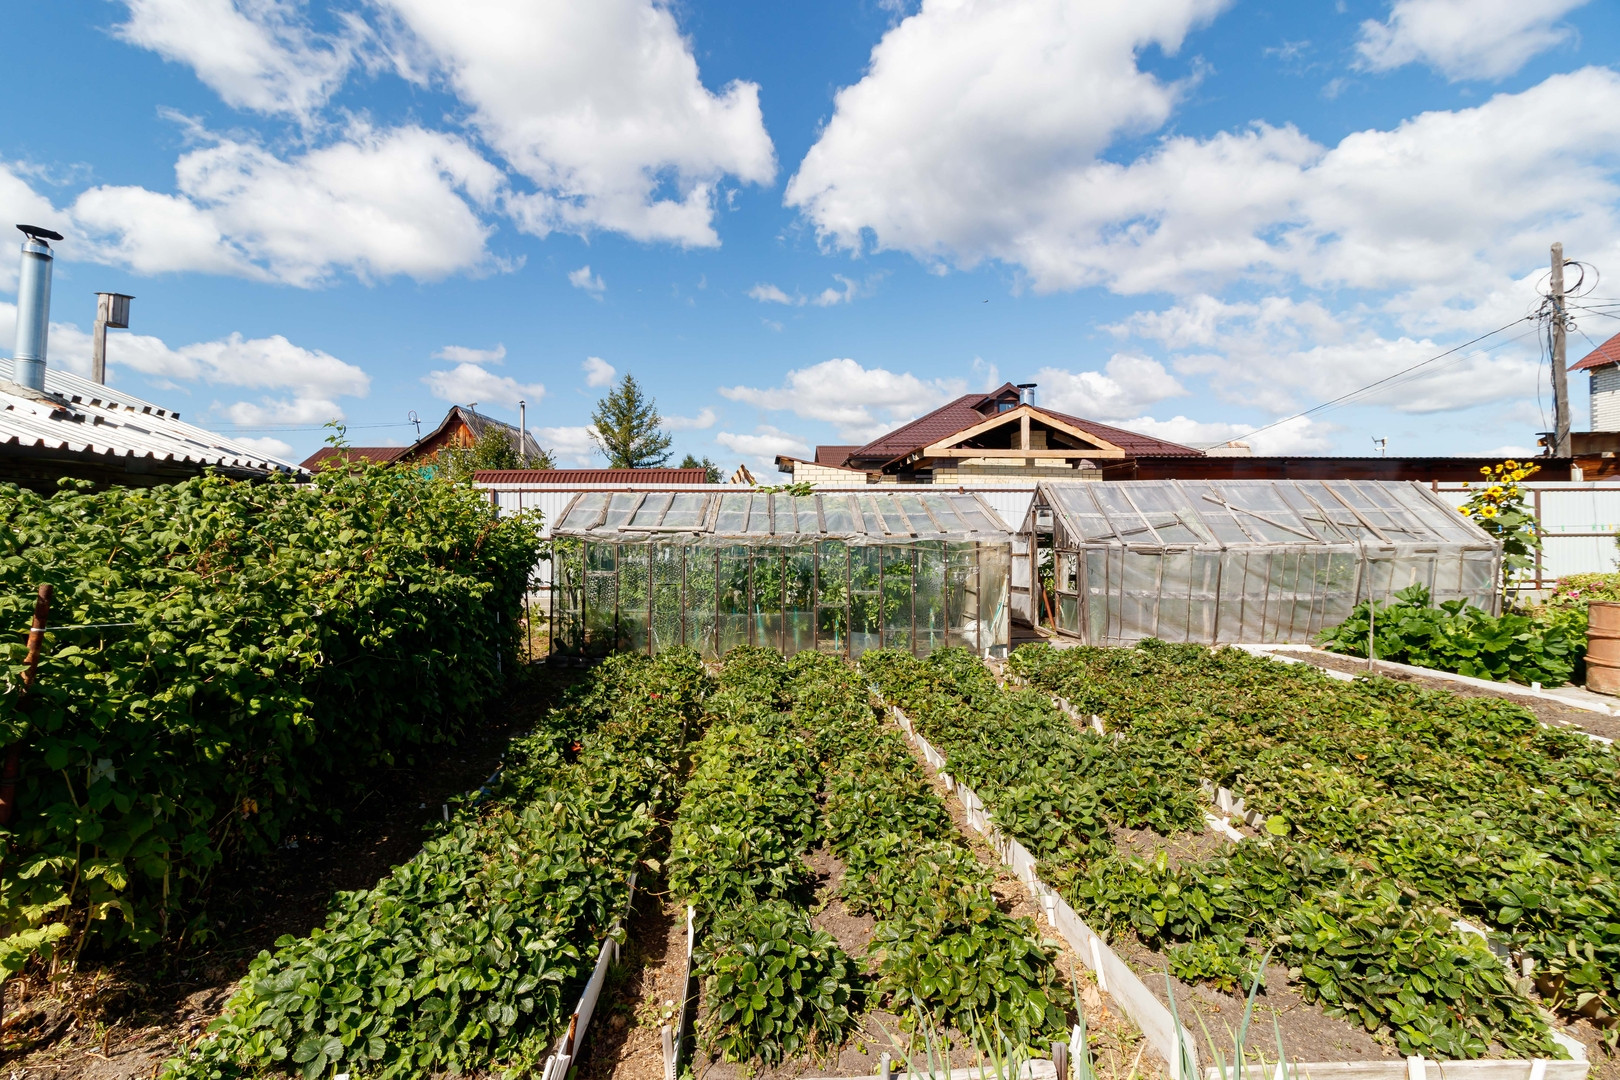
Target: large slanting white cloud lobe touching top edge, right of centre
(974, 117)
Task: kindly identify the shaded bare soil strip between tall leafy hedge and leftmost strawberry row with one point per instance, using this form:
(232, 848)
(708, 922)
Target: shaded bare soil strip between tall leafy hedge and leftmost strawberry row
(121, 1018)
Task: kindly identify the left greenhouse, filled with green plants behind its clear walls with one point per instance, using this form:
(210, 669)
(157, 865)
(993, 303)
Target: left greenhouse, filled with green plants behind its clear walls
(838, 572)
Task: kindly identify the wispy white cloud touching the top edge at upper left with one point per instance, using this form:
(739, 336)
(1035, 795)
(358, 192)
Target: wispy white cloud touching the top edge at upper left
(255, 54)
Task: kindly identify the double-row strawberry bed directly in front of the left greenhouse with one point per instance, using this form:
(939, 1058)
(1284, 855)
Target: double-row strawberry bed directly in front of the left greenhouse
(812, 844)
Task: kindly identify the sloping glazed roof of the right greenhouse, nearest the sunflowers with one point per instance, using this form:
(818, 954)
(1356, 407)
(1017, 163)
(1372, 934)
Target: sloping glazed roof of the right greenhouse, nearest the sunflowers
(1235, 512)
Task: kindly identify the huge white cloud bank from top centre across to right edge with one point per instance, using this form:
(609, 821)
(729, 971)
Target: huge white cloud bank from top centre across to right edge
(1002, 159)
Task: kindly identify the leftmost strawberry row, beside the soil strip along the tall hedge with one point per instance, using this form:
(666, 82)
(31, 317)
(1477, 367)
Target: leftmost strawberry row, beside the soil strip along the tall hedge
(471, 956)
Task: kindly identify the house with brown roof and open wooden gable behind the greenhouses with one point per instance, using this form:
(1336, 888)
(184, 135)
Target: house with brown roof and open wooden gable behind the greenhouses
(986, 438)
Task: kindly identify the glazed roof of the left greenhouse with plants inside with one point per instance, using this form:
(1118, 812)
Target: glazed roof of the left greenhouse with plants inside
(757, 517)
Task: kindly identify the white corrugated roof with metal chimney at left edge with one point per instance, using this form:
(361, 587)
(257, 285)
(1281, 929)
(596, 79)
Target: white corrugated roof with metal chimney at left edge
(96, 420)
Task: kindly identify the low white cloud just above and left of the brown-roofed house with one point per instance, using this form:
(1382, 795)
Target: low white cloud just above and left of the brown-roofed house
(861, 402)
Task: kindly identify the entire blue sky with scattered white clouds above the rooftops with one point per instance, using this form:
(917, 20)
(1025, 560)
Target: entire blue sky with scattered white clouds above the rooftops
(804, 224)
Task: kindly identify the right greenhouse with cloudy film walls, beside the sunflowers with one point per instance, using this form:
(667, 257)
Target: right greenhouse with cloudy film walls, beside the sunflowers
(1243, 561)
